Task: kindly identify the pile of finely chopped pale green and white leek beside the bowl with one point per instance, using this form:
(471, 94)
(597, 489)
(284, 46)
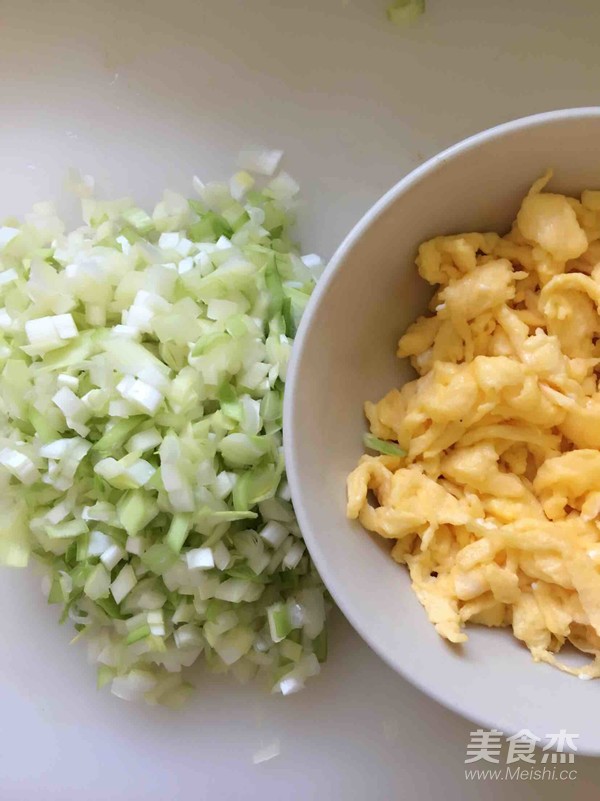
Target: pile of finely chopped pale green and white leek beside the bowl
(143, 359)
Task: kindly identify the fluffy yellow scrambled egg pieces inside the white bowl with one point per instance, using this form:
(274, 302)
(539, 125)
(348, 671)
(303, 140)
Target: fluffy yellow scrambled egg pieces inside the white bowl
(495, 508)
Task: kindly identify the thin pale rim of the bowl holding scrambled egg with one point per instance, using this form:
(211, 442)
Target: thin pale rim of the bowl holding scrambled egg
(289, 435)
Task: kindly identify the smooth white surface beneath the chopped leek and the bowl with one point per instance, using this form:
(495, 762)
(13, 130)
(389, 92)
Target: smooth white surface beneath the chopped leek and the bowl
(142, 94)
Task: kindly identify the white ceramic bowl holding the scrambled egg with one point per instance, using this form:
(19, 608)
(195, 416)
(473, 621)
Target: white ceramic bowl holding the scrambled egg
(345, 354)
